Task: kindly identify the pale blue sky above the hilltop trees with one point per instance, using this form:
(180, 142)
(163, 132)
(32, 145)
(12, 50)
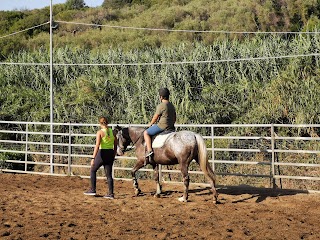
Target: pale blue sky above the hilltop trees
(8, 5)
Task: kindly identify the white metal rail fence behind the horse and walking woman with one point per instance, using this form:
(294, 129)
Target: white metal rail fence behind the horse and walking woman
(263, 155)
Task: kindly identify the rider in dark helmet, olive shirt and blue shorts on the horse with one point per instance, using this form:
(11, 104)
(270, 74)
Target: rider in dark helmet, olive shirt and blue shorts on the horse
(165, 116)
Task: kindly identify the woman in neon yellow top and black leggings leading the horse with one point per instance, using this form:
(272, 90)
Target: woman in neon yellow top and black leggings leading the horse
(103, 154)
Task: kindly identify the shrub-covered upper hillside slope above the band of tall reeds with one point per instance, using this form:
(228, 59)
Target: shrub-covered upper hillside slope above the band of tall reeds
(204, 15)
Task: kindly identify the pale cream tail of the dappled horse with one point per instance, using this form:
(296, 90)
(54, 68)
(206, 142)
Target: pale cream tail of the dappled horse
(203, 159)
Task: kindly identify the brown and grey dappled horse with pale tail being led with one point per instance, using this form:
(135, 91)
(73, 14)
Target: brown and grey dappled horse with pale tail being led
(180, 148)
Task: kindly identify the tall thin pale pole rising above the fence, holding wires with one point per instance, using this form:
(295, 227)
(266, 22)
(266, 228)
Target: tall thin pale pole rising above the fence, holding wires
(51, 91)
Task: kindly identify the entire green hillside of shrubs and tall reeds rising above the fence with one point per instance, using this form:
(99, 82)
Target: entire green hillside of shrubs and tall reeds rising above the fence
(257, 91)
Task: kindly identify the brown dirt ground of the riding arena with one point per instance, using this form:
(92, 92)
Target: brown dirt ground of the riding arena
(46, 207)
